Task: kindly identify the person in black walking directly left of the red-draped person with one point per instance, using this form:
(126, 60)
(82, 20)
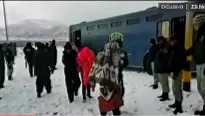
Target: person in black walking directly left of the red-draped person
(72, 79)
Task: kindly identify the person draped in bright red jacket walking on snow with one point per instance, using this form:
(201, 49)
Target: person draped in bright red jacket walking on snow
(85, 61)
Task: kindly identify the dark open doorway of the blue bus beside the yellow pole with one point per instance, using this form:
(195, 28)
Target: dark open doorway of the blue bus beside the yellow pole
(178, 29)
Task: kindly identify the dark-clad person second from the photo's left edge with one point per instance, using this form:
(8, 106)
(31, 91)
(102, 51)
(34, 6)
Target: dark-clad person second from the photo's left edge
(9, 56)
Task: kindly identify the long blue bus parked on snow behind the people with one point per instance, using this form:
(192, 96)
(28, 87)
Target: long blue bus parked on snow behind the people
(138, 28)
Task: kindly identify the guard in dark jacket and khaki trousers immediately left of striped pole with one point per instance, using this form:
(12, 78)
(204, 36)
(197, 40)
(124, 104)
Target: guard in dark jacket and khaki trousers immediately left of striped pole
(178, 63)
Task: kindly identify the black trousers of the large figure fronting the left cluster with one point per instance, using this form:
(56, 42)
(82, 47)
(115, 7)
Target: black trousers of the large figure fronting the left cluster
(42, 81)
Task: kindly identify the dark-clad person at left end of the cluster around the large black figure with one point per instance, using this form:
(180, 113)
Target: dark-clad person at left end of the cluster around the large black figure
(29, 52)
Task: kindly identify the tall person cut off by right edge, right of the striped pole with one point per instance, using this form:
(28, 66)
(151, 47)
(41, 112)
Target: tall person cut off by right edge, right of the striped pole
(198, 52)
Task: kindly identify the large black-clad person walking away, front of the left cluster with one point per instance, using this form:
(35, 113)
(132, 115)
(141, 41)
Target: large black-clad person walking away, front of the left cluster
(42, 66)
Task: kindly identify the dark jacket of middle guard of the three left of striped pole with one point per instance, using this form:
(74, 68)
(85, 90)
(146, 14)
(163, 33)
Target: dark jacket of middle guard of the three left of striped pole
(162, 61)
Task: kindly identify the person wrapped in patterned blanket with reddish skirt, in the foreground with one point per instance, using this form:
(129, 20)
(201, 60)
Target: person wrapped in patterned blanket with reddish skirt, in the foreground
(111, 90)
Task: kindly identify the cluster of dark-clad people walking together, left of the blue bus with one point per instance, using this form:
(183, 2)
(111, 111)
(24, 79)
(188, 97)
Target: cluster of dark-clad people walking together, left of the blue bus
(42, 63)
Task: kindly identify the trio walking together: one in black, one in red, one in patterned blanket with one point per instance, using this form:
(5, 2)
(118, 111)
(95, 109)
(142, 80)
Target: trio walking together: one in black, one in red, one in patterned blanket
(96, 69)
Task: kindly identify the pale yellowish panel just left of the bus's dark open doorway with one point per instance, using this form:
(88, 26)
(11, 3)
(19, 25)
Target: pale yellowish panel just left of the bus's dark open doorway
(163, 28)
